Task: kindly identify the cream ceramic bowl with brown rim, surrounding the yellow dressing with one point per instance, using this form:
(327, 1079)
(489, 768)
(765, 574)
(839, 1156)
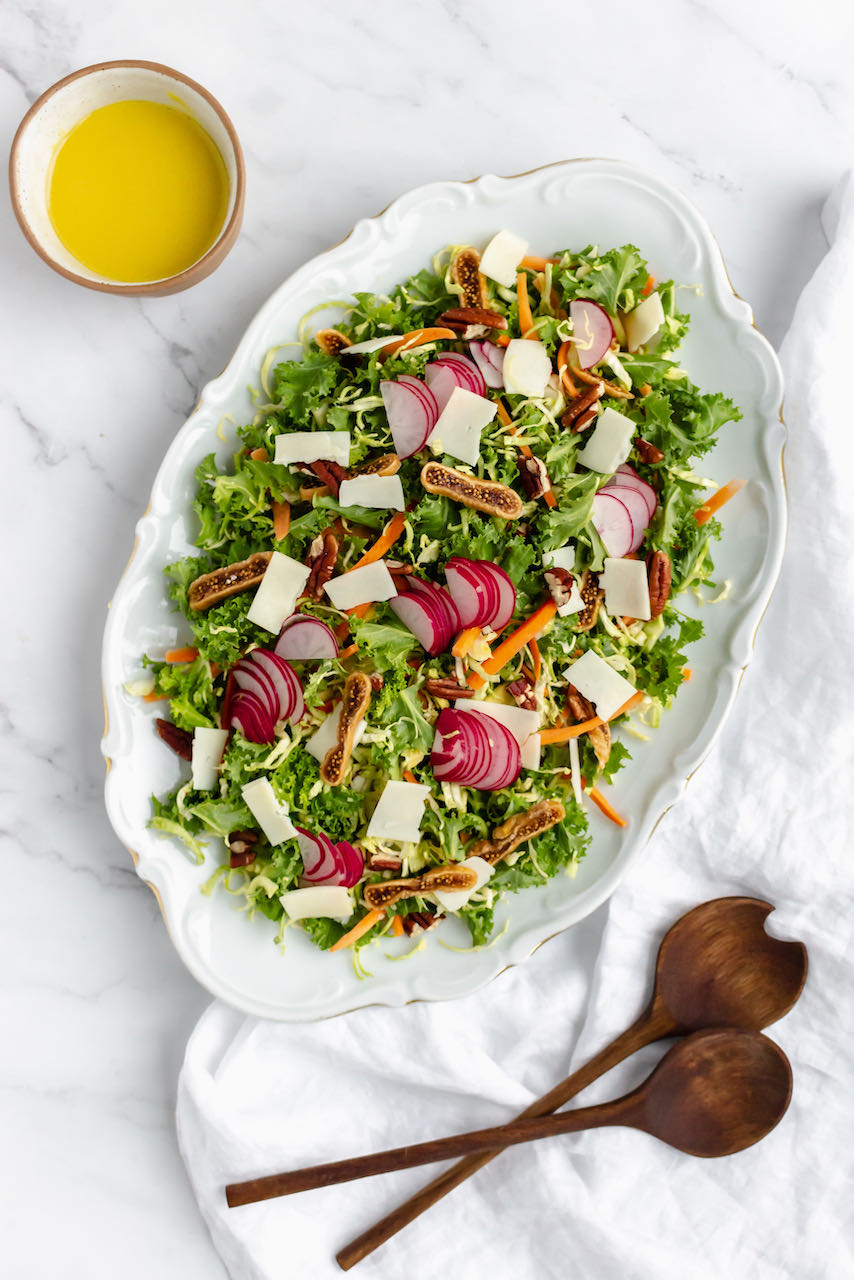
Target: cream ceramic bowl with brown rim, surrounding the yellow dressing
(67, 103)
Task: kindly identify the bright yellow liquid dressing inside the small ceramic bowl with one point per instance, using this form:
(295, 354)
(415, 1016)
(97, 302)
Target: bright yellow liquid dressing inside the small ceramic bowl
(139, 191)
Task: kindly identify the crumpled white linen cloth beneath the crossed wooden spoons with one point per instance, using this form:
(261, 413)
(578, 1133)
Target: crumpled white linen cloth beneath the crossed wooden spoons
(769, 815)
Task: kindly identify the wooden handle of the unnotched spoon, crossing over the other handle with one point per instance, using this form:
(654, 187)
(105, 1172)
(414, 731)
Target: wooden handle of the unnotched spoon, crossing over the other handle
(531, 1130)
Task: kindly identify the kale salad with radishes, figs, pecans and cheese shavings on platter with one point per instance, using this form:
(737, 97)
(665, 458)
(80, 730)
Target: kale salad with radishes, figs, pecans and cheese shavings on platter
(435, 593)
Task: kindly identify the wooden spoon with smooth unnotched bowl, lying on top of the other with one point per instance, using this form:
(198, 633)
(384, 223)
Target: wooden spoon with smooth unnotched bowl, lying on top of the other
(713, 1095)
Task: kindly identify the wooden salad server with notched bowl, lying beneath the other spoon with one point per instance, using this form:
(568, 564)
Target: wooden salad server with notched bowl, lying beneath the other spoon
(716, 967)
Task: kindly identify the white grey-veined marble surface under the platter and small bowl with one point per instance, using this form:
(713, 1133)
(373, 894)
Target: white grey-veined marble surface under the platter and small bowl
(750, 109)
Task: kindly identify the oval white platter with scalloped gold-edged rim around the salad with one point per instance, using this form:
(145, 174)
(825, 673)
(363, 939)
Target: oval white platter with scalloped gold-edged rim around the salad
(572, 204)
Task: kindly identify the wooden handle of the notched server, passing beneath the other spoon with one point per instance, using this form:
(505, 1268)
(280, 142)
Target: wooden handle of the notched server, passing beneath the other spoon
(650, 1027)
